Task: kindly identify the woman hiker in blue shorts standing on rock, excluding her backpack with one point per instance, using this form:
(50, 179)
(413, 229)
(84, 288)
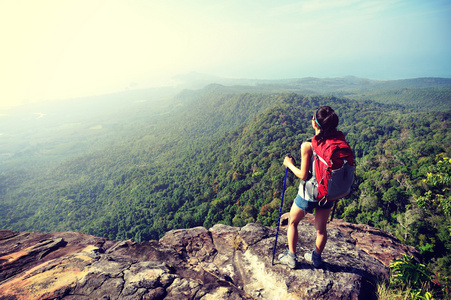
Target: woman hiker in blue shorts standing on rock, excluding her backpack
(325, 123)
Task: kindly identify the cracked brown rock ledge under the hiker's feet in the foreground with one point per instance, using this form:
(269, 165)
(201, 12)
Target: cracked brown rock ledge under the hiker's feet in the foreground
(222, 262)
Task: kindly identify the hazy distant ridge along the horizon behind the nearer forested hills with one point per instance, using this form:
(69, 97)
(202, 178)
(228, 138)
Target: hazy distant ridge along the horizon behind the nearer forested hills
(416, 92)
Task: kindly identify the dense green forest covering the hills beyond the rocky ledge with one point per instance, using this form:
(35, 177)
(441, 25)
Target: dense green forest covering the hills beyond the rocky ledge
(215, 156)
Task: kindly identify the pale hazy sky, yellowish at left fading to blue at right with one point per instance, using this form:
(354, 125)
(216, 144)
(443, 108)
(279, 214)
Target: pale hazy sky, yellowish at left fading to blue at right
(63, 48)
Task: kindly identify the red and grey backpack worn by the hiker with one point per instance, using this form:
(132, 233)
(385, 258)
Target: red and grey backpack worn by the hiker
(333, 167)
